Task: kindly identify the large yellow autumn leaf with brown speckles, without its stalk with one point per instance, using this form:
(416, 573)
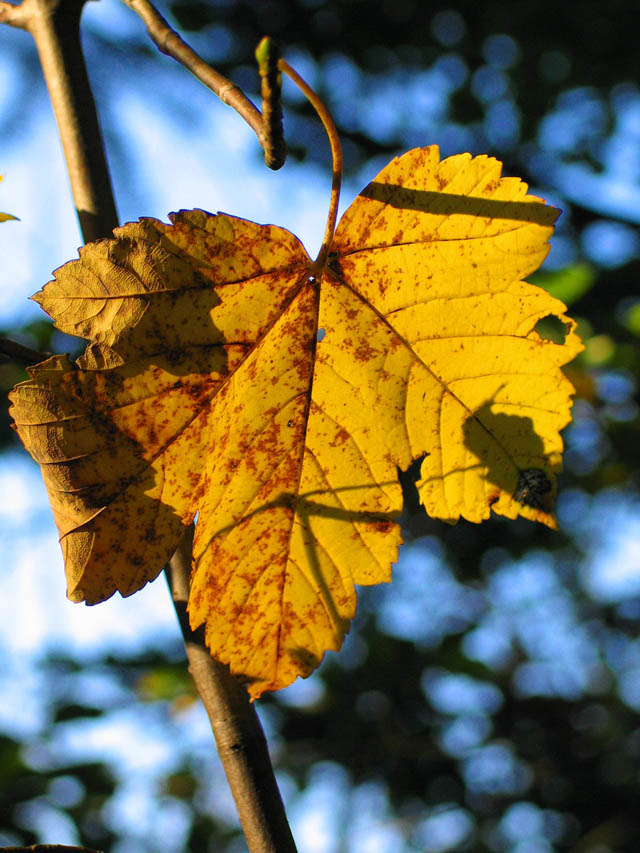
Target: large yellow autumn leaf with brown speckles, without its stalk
(231, 377)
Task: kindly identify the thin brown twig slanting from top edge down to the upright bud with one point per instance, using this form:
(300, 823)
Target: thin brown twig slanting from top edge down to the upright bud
(170, 43)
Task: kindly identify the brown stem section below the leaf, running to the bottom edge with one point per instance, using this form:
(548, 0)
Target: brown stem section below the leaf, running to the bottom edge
(242, 746)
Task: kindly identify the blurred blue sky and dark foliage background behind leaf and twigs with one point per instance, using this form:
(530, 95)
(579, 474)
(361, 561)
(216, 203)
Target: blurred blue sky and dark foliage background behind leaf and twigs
(489, 698)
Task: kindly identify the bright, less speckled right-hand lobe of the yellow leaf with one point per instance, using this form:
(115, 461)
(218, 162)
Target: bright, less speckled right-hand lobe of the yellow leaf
(439, 249)
